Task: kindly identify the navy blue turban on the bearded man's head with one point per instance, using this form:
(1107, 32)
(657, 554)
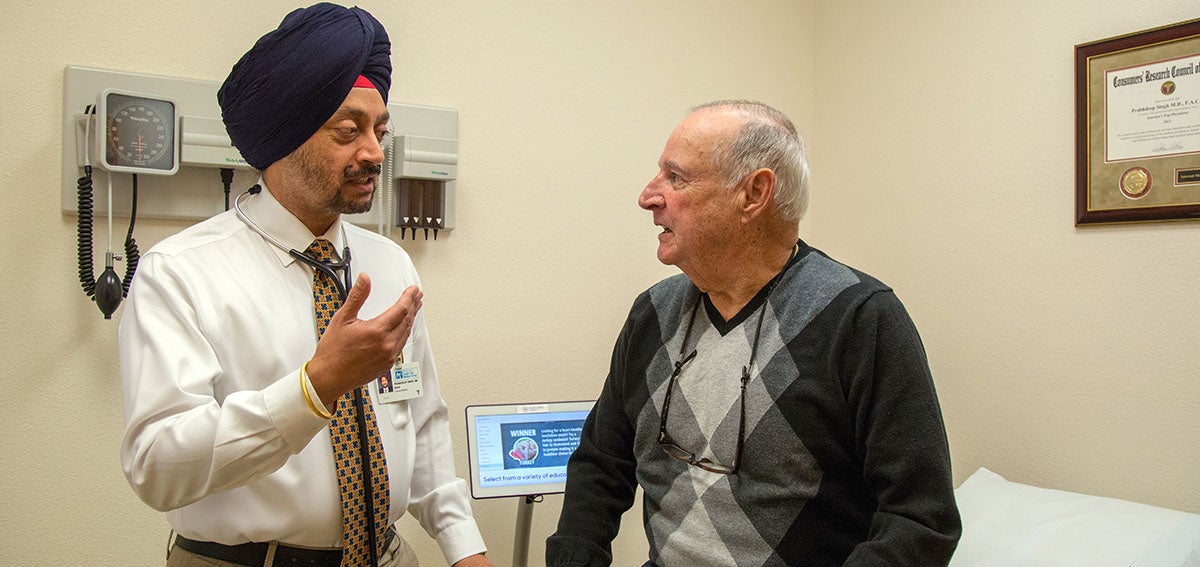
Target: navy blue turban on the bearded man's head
(296, 77)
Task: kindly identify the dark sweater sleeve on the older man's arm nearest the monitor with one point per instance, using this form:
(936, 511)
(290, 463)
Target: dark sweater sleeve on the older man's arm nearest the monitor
(601, 475)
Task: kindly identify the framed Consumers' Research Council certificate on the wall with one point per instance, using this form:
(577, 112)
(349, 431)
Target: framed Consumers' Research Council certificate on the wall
(1138, 127)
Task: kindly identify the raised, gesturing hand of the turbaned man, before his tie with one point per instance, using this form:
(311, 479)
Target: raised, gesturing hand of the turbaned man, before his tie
(355, 351)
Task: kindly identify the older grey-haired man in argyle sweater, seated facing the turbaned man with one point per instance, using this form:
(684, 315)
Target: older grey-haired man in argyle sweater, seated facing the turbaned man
(775, 405)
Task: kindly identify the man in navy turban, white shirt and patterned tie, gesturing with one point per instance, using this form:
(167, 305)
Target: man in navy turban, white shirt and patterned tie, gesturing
(244, 372)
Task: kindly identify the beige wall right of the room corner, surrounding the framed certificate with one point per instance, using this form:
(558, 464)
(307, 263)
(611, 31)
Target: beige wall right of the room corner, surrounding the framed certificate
(944, 148)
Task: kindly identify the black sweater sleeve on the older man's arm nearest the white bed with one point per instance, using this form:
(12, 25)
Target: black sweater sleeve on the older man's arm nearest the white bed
(901, 439)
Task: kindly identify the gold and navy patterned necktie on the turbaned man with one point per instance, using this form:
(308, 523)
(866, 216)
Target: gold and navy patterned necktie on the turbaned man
(344, 432)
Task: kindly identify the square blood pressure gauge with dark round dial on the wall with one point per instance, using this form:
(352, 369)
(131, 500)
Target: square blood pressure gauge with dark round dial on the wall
(139, 133)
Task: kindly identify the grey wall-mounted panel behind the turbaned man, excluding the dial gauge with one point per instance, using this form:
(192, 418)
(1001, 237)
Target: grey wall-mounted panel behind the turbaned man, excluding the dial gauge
(419, 171)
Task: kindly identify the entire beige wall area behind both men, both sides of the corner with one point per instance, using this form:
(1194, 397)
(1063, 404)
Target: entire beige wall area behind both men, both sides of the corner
(943, 144)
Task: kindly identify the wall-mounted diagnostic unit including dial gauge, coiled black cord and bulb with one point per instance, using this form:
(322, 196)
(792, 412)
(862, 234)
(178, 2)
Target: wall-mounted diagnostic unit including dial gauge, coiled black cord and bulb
(166, 135)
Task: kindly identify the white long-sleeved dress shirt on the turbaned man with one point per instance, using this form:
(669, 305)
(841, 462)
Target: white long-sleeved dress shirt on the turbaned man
(219, 435)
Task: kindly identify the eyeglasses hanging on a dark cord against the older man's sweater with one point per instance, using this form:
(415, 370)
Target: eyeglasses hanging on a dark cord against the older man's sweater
(667, 443)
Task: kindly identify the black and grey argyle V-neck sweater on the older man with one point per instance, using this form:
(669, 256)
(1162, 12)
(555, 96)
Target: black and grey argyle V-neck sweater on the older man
(844, 459)
